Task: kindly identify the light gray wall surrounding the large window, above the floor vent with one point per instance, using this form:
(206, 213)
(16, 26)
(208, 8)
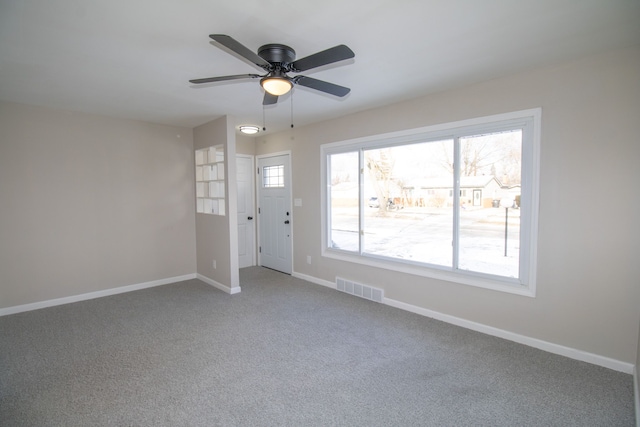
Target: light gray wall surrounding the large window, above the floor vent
(588, 269)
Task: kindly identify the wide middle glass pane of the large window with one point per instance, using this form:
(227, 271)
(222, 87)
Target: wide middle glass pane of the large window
(408, 206)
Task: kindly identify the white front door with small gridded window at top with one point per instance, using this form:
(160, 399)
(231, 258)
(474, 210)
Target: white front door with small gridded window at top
(274, 212)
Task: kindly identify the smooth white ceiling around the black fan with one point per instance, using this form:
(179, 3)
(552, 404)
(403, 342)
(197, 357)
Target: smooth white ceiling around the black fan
(133, 59)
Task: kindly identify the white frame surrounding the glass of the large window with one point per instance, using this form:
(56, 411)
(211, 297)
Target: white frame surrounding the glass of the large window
(531, 122)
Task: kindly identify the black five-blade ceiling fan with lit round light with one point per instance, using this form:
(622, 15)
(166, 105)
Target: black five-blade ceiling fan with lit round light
(278, 60)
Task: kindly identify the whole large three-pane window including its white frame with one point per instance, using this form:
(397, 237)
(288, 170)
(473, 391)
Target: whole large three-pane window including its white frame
(455, 201)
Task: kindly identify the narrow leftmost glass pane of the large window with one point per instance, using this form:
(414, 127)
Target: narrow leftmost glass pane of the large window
(344, 199)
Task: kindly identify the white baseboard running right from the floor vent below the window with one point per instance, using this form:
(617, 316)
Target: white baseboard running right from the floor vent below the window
(572, 353)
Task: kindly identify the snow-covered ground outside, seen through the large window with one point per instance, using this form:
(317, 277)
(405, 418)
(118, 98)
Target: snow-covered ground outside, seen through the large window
(425, 235)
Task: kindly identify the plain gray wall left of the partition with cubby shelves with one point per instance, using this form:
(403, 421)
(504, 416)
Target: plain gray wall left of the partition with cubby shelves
(89, 203)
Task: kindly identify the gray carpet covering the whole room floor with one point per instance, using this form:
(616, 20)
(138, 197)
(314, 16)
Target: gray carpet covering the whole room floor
(283, 352)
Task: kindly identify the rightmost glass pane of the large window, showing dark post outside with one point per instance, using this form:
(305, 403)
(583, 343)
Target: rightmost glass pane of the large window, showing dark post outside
(490, 183)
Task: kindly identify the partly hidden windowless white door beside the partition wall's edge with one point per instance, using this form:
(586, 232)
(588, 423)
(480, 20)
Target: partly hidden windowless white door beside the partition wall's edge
(246, 212)
